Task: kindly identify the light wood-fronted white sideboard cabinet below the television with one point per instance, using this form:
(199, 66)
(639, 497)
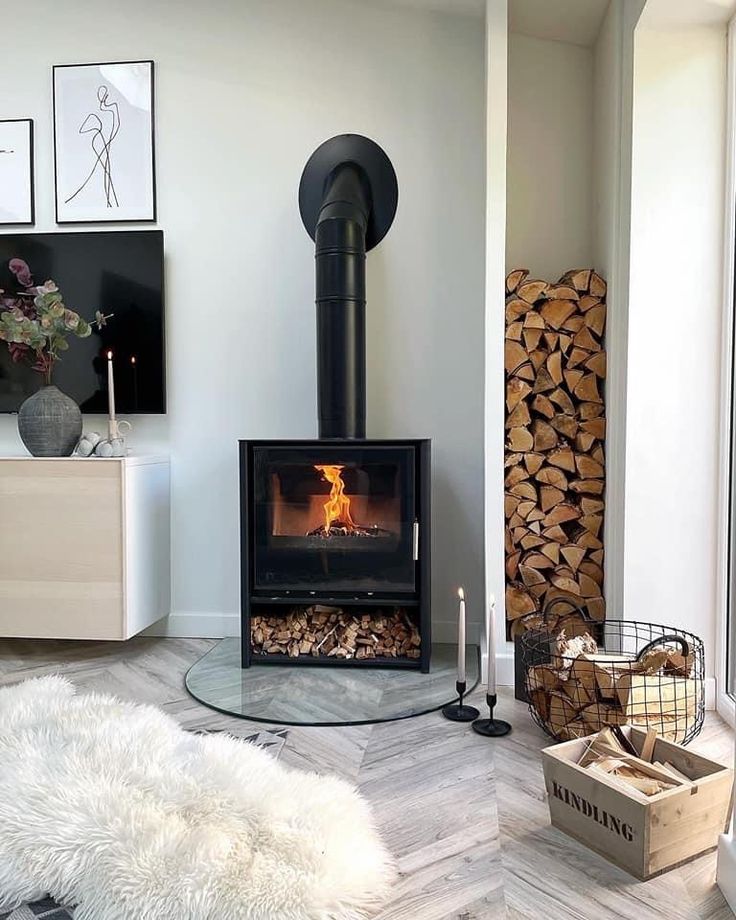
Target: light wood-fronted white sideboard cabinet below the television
(84, 546)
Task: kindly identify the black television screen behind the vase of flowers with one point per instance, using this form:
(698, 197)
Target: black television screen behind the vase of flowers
(119, 272)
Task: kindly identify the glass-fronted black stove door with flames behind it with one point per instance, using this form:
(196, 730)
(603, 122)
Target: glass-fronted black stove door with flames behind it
(336, 518)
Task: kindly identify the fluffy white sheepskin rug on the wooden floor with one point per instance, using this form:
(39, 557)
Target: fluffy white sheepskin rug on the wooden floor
(112, 807)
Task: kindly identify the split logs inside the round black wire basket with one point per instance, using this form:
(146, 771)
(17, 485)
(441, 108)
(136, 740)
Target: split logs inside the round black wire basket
(584, 689)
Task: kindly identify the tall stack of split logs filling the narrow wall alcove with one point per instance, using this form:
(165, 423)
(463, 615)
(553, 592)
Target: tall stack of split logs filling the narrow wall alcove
(555, 434)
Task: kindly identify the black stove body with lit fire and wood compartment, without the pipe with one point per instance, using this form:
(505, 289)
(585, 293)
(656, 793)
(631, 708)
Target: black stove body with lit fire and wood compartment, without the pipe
(335, 552)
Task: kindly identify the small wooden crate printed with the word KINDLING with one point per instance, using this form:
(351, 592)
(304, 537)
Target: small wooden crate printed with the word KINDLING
(645, 835)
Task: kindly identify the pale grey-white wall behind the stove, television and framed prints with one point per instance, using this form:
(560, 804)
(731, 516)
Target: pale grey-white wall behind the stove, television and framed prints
(246, 89)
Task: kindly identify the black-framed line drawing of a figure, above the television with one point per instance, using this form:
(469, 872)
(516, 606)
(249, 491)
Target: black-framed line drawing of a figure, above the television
(104, 156)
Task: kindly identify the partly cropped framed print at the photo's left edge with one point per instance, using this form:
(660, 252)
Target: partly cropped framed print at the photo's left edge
(16, 172)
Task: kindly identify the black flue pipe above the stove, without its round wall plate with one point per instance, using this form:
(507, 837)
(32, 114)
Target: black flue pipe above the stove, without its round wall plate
(340, 247)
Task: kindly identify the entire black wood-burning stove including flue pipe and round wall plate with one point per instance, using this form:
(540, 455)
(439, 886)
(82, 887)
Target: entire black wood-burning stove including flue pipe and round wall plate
(335, 533)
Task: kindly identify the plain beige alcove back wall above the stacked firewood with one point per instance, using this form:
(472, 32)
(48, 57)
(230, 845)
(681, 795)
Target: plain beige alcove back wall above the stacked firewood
(550, 156)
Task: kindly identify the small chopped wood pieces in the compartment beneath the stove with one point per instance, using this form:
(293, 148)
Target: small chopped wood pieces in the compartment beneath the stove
(332, 632)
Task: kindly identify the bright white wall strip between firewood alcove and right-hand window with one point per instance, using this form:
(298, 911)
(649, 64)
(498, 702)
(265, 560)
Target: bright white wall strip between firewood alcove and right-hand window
(674, 328)
